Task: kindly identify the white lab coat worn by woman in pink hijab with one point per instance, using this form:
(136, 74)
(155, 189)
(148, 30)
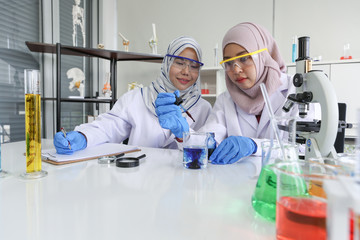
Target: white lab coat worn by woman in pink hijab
(227, 119)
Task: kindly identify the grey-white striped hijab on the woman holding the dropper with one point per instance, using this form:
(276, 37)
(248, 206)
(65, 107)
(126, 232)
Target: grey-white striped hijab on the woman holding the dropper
(163, 83)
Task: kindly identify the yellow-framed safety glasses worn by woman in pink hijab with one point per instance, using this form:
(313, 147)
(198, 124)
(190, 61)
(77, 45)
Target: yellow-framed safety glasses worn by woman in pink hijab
(241, 61)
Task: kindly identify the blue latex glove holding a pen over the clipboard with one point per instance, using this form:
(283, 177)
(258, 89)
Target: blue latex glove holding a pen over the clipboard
(76, 140)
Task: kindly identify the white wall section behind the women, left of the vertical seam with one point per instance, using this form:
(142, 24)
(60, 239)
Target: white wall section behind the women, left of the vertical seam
(205, 20)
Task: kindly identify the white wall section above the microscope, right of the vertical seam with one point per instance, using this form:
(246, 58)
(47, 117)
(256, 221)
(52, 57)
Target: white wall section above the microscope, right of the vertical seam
(329, 23)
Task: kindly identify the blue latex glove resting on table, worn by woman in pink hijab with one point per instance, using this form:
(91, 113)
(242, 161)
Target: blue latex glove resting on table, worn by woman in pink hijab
(232, 149)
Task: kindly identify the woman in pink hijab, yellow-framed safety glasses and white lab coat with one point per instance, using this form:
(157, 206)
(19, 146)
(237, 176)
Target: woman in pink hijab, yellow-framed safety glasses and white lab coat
(240, 123)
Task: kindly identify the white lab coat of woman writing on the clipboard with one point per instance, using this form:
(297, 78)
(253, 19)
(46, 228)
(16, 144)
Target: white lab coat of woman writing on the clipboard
(130, 118)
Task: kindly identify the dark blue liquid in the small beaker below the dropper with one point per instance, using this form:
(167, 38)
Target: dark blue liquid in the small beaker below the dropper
(195, 157)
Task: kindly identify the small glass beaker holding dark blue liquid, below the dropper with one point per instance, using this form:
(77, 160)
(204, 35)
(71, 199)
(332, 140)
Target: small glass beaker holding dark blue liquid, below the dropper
(195, 150)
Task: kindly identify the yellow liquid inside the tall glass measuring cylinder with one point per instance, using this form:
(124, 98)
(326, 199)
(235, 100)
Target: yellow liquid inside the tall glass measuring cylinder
(33, 132)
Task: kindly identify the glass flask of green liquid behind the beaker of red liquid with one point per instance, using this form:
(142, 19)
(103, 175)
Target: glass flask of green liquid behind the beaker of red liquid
(264, 197)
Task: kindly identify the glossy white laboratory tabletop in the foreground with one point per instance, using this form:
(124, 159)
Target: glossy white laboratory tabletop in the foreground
(157, 200)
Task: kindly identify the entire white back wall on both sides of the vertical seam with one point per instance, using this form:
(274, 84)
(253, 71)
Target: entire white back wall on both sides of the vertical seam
(329, 23)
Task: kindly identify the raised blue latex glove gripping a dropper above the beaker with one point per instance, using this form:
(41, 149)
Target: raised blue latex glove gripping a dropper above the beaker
(169, 114)
